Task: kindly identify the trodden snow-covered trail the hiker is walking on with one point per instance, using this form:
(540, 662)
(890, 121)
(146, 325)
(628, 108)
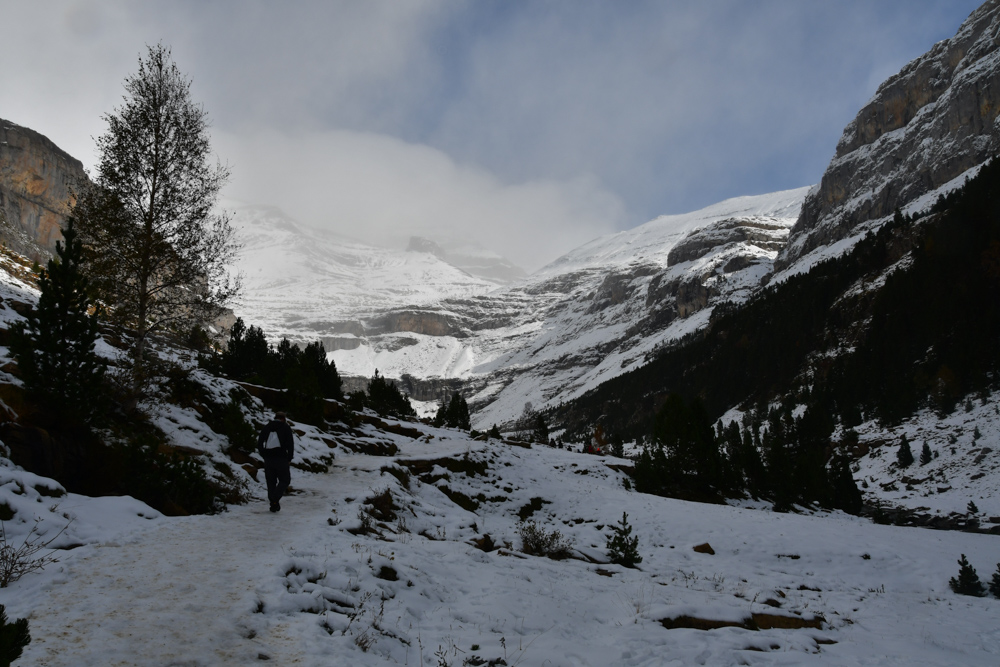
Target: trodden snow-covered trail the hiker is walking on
(173, 595)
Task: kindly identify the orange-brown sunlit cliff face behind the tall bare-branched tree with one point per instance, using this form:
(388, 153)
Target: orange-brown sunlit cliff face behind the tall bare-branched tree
(36, 177)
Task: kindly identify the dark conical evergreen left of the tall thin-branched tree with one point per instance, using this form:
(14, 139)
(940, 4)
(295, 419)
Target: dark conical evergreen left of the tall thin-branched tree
(54, 347)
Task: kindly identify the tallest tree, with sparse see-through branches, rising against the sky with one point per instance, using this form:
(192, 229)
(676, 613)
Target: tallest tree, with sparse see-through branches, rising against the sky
(157, 253)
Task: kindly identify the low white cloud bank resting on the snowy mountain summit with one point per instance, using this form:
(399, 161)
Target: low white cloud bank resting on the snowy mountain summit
(382, 190)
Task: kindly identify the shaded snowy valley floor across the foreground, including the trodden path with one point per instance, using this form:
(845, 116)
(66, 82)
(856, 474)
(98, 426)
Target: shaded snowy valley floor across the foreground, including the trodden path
(298, 588)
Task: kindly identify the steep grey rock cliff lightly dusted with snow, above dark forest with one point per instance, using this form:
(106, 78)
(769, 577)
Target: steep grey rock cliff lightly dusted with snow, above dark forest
(926, 125)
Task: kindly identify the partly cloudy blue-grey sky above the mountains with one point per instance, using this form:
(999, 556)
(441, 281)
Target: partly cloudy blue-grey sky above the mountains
(526, 127)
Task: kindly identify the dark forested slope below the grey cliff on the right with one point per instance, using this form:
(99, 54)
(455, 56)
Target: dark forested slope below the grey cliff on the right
(910, 317)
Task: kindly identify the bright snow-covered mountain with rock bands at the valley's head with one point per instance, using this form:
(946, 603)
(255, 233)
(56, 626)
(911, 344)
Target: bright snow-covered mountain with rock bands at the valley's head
(548, 337)
